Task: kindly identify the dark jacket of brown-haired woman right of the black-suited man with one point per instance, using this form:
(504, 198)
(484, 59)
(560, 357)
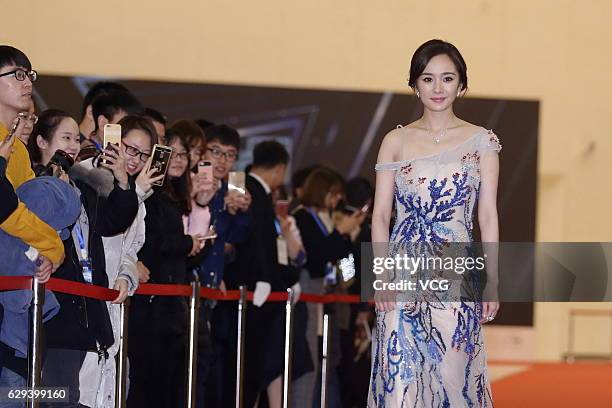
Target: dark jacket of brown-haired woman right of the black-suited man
(321, 248)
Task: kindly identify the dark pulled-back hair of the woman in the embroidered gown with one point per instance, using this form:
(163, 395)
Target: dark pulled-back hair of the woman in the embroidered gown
(430, 49)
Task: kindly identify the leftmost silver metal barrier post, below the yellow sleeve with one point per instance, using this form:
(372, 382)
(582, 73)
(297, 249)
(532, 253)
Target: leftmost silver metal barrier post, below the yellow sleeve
(35, 356)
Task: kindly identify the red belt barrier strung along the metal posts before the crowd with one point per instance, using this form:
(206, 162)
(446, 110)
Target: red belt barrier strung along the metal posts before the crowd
(100, 293)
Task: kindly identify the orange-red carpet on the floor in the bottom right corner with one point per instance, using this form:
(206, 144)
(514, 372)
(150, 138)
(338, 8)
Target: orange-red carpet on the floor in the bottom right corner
(587, 385)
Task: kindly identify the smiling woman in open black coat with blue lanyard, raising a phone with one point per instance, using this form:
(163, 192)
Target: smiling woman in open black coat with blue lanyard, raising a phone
(83, 324)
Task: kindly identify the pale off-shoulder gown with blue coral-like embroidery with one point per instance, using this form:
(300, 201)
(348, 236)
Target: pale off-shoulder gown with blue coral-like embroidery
(430, 353)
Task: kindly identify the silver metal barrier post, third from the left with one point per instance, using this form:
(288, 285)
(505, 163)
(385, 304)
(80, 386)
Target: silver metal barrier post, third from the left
(192, 349)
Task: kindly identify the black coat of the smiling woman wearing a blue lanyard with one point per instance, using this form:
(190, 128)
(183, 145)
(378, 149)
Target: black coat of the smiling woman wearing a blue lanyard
(83, 321)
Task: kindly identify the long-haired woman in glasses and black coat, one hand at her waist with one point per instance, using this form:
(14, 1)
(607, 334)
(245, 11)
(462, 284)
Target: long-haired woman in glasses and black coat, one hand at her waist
(158, 325)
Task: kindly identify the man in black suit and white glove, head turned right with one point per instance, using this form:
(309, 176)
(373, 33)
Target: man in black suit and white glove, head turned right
(264, 267)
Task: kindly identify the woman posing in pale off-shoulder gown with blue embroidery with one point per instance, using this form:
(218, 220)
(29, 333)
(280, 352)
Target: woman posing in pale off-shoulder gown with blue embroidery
(429, 351)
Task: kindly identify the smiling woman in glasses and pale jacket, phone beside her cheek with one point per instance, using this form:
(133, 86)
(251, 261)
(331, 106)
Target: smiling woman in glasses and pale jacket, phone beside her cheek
(138, 136)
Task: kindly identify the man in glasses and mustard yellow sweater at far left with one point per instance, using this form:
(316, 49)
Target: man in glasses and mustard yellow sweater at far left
(16, 78)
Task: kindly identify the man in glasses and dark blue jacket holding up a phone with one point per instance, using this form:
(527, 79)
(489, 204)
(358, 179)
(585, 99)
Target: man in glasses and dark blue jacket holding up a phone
(229, 219)
